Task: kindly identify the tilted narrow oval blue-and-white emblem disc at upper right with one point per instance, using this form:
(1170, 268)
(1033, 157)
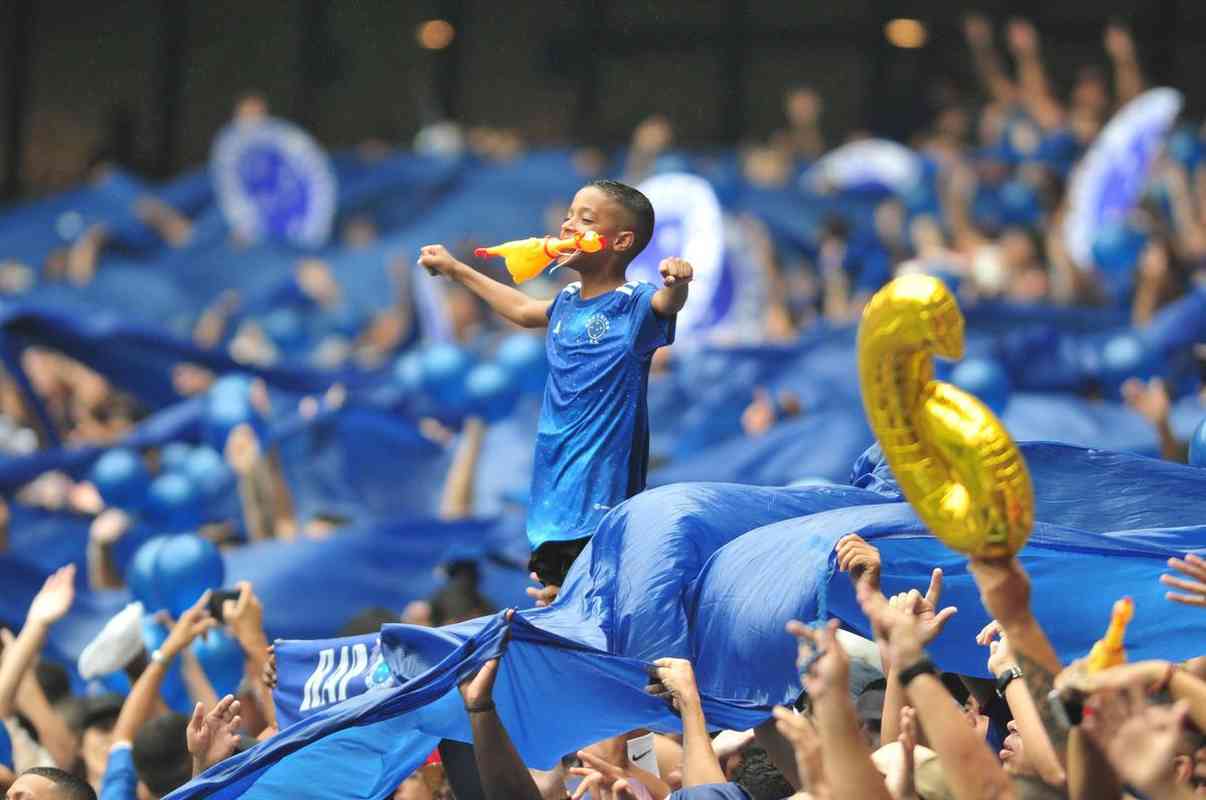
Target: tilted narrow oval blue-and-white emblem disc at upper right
(1110, 180)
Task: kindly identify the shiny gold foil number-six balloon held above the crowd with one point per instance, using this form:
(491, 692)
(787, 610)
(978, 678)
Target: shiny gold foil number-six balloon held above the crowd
(952, 458)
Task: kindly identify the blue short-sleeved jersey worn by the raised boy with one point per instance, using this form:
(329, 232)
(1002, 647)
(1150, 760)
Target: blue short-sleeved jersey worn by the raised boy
(593, 443)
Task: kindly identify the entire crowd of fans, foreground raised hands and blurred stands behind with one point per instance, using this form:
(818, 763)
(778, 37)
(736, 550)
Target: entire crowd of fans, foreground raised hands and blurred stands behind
(870, 723)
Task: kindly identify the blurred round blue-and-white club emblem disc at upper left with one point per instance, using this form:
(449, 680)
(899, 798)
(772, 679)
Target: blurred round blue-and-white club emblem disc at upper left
(274, 182)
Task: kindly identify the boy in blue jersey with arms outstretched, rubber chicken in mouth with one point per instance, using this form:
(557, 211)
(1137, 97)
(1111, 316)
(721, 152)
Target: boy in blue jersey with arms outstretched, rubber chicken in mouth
(593, 442)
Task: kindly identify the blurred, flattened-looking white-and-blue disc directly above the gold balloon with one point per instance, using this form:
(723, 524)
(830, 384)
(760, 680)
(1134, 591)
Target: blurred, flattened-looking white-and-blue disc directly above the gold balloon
(867, 166)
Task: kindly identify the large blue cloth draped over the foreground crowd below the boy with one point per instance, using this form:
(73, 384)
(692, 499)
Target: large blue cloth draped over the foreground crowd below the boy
(712, 573)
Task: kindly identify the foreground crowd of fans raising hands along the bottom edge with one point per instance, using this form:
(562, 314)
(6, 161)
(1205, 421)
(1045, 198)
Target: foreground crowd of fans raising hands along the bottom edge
(910, 731)
